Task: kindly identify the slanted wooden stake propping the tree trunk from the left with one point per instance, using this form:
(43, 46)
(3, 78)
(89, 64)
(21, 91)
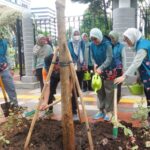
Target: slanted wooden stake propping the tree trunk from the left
(40, 100)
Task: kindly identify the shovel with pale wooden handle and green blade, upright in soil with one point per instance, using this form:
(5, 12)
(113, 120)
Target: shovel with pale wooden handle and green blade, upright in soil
(115, 126)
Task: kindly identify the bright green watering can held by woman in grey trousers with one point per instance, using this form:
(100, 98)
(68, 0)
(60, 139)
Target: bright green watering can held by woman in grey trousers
(96, 82)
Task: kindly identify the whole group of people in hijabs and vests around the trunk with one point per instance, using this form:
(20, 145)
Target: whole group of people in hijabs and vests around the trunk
(104, 55)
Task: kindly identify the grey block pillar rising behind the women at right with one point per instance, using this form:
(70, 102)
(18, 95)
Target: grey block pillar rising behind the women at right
(124, 17)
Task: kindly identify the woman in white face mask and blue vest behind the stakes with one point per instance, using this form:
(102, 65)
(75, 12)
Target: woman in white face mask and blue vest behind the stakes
(77, 47)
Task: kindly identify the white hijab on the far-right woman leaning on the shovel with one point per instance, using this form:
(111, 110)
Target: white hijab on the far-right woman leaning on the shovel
(133, 35)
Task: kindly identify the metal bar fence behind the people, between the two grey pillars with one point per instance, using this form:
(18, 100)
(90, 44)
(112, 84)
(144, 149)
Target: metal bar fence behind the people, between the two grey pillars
(84, 23)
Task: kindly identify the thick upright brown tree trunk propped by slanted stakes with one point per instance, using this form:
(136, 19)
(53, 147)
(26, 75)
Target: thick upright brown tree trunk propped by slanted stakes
(67, 121)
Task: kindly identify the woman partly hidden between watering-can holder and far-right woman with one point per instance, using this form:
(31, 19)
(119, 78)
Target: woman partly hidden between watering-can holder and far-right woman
(118, 64)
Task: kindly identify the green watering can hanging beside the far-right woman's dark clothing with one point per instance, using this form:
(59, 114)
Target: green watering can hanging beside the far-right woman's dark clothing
(136, 89)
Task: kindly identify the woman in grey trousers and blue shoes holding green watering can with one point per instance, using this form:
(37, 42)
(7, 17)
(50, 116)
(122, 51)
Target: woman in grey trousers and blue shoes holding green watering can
(101, 50)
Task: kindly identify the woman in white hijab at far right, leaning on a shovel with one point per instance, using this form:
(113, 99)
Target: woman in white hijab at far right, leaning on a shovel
(141, 61)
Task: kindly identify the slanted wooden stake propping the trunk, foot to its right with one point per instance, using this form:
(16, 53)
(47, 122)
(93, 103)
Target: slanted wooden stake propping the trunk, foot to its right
(74, 76)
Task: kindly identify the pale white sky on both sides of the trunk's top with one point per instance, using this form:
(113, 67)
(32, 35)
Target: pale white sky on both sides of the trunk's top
(72, 9)
